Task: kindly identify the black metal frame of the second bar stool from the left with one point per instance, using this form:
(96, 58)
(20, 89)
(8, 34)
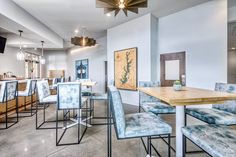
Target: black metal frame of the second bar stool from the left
(32, 109)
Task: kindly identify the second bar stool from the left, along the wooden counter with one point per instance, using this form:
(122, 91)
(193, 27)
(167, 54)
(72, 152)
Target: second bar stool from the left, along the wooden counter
(28, 92)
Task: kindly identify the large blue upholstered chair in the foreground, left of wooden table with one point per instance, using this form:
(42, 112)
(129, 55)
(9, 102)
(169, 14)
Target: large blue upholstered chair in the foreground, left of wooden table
(135, 125)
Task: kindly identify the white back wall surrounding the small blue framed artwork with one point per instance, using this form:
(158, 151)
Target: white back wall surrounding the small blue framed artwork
(97, 56)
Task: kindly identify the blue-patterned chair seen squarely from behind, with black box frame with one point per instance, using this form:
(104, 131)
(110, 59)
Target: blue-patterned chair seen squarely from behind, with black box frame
(69, 99)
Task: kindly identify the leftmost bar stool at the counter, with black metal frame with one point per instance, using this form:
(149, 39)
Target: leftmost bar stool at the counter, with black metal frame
(8, 93)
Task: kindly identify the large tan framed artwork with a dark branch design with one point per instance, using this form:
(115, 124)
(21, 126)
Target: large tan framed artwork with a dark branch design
(126, 69)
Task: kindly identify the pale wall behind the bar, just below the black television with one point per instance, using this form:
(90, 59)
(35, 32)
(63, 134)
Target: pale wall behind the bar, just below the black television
(8, 62)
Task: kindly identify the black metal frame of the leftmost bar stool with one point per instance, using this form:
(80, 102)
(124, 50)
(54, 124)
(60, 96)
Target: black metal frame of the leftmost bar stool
(5, 95)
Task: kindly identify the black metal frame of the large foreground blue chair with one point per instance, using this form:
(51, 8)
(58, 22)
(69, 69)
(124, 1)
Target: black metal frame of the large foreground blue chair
(147, 148)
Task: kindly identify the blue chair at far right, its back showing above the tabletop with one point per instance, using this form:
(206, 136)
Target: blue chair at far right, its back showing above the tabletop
(220, 113)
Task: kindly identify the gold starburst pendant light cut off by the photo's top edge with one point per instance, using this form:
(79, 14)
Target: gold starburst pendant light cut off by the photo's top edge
(125, 5)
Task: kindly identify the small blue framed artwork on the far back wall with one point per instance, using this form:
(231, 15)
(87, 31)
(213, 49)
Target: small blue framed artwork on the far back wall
(82, 69)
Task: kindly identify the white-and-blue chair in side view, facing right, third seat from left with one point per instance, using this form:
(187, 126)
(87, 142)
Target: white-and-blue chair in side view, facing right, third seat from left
(45, 98)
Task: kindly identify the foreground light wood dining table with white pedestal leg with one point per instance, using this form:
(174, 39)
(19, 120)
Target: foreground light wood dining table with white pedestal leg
(186, 97)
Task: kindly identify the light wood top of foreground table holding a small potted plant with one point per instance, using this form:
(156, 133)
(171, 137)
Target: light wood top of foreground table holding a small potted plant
(187, 96)
